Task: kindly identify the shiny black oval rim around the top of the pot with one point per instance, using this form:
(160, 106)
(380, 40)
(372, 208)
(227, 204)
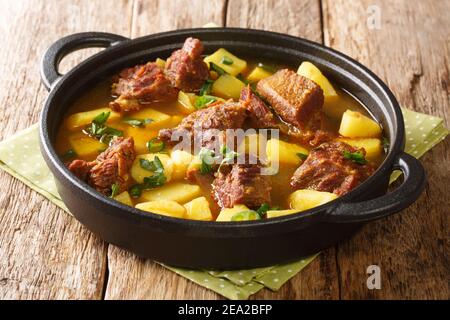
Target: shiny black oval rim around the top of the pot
(385, 168)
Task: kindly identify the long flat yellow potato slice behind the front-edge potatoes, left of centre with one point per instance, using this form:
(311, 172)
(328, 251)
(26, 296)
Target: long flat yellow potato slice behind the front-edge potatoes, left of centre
(176, 191)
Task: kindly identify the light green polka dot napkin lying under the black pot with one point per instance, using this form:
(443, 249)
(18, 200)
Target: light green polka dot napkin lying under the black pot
(20, 156)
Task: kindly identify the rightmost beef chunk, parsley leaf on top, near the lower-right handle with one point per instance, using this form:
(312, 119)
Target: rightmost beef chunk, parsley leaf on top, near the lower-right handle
(326, 169)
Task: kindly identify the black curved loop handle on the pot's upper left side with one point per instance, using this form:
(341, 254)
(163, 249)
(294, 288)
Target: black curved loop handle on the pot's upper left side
(62, 47)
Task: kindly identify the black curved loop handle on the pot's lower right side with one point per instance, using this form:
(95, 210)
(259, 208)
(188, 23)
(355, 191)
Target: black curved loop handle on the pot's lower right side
(393, 202)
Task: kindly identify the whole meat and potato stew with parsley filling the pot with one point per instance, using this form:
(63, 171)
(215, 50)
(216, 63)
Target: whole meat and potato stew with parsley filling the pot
(220, 137)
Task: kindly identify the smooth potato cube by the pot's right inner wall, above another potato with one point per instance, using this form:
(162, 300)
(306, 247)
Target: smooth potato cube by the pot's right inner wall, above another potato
(356, 125)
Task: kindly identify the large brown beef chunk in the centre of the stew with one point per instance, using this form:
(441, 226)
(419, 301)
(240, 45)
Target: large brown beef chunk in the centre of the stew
(208, 126)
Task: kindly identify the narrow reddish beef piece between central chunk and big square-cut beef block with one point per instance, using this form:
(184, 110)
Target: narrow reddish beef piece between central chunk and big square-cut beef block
(259, 113)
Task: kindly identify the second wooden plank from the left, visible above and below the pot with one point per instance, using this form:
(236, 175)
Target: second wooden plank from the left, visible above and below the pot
(129, 276)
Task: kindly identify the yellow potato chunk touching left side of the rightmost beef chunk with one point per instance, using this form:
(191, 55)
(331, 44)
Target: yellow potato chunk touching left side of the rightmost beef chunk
(284, 152)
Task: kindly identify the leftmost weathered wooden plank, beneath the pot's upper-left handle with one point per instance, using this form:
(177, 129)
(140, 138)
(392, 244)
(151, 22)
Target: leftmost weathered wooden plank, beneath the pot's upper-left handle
(44, 253)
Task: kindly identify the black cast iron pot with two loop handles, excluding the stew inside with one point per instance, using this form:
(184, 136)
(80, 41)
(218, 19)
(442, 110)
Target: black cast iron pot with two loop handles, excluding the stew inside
(228, 245)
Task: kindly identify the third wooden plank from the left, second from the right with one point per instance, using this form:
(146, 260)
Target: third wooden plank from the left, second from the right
(298, 18)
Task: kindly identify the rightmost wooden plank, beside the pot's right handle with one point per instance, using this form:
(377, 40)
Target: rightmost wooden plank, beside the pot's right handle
(410, 52)
